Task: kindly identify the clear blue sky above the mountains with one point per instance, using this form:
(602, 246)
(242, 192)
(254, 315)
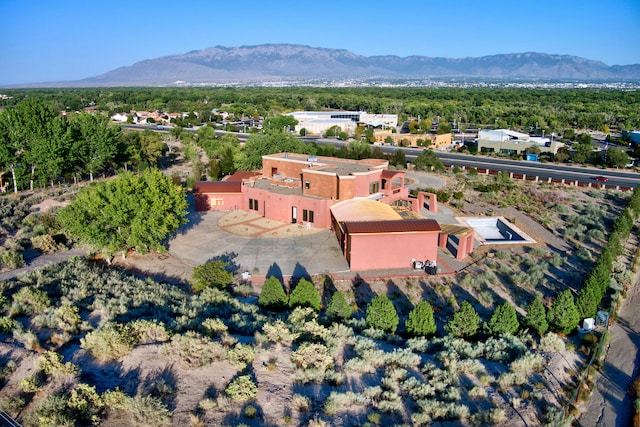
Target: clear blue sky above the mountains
(46, 41)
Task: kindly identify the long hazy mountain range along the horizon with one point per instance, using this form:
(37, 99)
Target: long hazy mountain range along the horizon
(292, 62)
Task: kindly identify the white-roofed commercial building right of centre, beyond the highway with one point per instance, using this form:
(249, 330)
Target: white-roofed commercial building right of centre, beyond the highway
(506, 141)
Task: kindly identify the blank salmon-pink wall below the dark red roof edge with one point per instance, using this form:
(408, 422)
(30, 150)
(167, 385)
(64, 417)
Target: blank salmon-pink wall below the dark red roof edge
(384, 251)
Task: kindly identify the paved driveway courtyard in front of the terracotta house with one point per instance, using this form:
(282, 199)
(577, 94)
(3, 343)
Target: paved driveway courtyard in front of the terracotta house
(202, 240)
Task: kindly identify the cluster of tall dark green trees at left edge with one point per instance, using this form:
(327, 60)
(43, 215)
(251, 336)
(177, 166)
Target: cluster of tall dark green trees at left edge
(40, 146)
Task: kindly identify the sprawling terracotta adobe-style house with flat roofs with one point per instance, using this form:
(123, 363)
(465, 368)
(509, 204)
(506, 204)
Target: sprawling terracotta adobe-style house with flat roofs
(354, 198)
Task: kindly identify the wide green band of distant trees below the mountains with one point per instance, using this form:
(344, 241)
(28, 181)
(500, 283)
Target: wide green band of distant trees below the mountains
(552, 110)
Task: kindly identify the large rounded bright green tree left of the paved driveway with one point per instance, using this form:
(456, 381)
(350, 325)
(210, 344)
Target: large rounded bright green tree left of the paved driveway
(129, 211)
